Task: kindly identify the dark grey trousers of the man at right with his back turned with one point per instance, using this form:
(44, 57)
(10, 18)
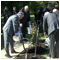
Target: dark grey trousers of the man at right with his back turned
(54, 47)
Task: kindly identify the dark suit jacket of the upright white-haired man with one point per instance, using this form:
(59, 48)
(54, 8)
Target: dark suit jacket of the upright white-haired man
(25, 19)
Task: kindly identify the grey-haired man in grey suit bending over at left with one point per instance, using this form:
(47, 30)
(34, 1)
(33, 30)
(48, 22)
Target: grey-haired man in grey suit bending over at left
(9, 29)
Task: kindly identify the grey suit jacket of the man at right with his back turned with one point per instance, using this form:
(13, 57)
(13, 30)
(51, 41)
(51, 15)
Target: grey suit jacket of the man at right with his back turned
(51, 22)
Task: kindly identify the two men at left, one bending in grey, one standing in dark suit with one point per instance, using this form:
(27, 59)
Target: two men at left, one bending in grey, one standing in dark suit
(12, 26)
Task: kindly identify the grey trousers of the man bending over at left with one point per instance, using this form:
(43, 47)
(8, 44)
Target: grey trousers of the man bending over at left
(7, 40)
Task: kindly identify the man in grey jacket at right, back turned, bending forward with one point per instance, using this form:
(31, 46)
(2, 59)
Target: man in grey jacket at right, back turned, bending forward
(51, 22)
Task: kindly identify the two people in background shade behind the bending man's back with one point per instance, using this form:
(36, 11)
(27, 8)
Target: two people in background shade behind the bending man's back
(6, 13)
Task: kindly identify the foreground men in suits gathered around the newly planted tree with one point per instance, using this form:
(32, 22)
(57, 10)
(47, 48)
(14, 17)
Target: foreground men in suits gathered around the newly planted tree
(22, 20)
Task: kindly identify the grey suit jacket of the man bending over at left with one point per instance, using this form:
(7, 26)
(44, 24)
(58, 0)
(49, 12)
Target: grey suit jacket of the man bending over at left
(11, 26)
